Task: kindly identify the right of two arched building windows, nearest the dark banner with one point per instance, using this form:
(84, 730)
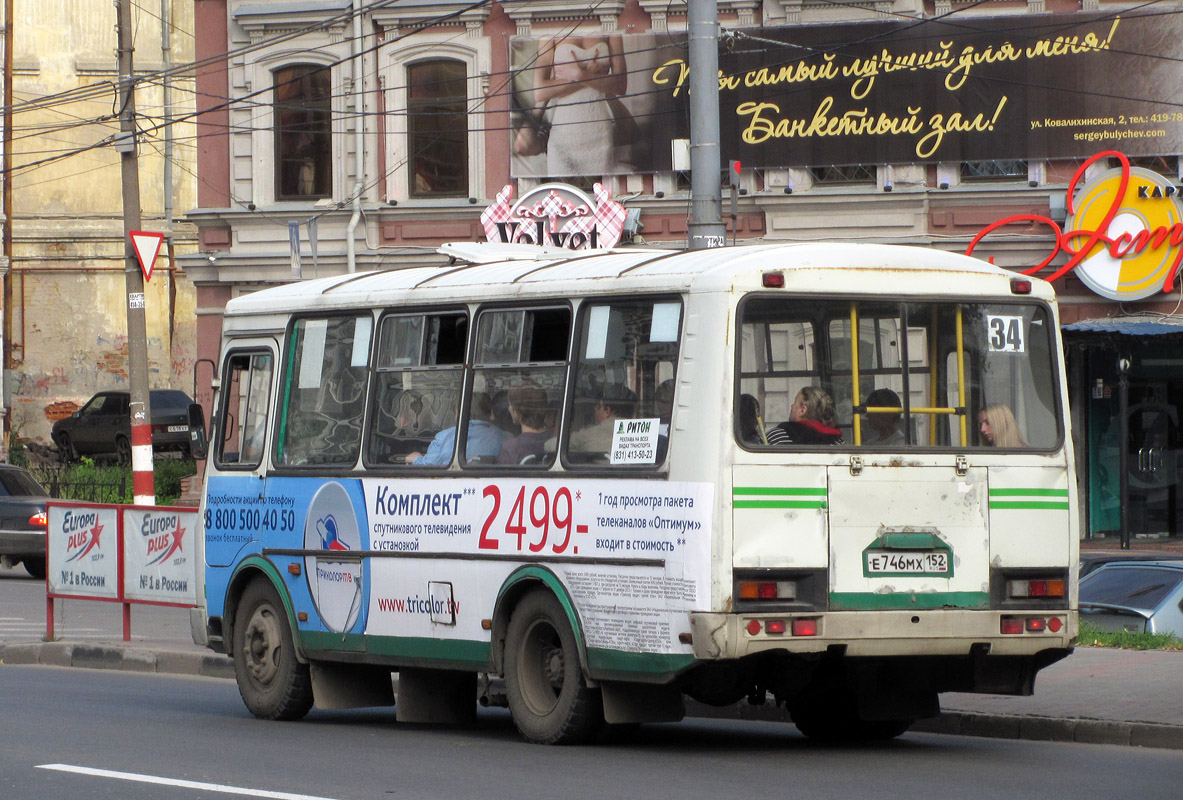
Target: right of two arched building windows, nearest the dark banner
(438, 130)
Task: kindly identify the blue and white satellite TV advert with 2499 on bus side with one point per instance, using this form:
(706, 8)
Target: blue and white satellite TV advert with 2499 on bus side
(635, 557)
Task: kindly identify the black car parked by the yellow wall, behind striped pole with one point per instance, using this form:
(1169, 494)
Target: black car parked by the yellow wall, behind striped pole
(104, 427)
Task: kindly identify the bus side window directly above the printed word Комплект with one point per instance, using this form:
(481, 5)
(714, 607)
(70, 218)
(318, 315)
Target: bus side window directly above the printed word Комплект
(417, 390)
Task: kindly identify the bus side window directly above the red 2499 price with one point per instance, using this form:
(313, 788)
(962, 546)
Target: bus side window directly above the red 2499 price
(518, 388)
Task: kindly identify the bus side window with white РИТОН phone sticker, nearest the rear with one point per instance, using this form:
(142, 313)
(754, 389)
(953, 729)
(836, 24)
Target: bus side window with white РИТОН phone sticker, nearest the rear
(624, 383)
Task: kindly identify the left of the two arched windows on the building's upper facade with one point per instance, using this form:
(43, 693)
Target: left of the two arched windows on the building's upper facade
(303, 133)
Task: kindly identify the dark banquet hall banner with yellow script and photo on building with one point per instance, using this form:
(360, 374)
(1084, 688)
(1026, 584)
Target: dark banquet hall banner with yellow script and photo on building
(960, 89)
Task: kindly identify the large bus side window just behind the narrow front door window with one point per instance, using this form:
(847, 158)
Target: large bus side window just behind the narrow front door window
(325, 391)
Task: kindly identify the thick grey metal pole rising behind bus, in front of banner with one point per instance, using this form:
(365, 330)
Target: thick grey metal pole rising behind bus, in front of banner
(707, 228)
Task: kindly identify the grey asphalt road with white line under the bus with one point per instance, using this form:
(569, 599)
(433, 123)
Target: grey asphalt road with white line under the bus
(94, 734)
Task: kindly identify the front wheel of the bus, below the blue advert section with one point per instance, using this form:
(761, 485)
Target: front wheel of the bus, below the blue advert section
(274, 685)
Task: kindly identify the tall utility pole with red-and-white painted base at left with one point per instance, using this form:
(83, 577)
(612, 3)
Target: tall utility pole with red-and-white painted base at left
(143, 480)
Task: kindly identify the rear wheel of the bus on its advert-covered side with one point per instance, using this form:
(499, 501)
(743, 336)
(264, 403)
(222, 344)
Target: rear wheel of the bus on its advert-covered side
(548, 698)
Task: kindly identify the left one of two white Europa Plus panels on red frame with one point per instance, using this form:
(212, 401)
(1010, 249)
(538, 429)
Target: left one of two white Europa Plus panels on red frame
(83, 551)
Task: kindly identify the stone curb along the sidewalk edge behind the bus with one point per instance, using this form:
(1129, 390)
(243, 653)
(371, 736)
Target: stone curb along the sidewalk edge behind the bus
(958, 724)
